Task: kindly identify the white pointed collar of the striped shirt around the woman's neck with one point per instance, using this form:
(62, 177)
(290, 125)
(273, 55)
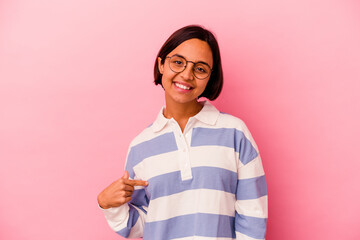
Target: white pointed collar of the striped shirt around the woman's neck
(208, 115)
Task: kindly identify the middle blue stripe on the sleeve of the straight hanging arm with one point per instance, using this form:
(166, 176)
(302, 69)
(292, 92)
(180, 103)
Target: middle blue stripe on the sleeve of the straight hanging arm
(251, 188)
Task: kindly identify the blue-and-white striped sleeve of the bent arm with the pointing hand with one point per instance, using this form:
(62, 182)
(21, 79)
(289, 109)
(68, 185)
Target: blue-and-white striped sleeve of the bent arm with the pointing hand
(128, 220)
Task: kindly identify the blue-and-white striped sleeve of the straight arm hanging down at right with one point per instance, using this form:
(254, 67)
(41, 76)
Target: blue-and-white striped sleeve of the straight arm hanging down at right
(251, 194)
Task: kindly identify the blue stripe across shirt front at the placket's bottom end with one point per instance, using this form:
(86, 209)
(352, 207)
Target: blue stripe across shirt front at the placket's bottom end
(203, 177)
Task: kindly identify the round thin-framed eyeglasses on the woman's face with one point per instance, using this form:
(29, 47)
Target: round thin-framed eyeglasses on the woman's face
(200, 70)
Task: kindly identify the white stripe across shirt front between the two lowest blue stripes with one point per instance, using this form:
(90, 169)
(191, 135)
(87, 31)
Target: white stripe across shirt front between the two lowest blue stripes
(192, 201)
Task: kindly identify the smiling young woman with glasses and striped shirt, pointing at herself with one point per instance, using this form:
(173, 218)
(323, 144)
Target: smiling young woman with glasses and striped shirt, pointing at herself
(195, 173)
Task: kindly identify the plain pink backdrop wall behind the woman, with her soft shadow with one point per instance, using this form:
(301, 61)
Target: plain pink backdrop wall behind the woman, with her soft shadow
(76, 87)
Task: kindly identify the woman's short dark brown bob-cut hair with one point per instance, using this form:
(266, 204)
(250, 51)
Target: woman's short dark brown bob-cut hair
(215, 83)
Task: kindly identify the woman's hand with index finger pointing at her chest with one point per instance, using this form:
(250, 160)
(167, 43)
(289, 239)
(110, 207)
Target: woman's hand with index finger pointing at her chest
(119, 192)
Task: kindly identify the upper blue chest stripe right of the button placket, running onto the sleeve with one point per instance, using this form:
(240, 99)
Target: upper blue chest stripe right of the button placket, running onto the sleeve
(227, 137)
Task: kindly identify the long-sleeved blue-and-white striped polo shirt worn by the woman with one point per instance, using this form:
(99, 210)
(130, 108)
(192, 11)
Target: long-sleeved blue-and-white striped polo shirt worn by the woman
(204, 183)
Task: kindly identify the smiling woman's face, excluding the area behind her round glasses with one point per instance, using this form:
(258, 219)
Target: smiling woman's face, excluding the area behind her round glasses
(184, 87)
